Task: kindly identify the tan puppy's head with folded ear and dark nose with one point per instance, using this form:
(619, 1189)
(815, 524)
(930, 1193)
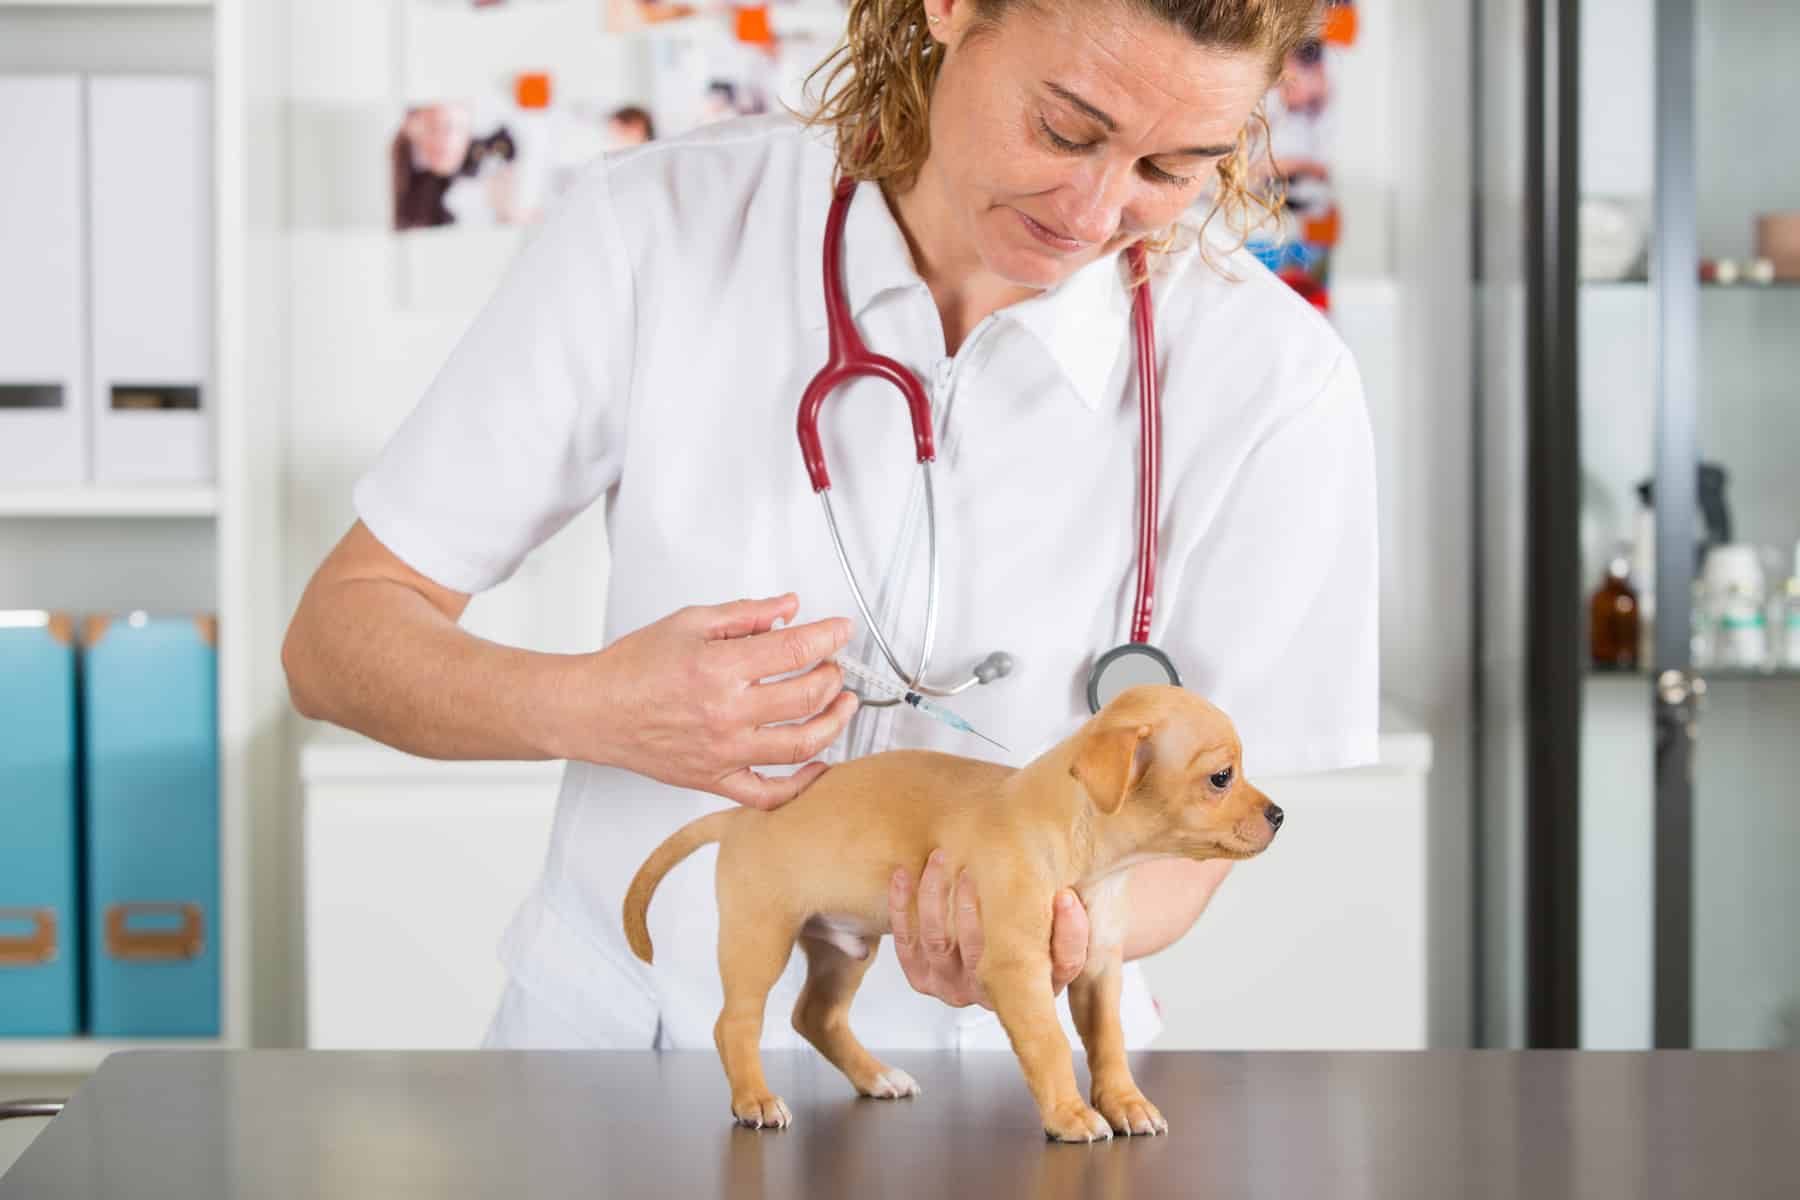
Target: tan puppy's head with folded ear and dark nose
(1167, 771)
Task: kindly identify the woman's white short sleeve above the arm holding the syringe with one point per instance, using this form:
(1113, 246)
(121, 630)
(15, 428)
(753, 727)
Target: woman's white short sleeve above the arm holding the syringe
(525, 425)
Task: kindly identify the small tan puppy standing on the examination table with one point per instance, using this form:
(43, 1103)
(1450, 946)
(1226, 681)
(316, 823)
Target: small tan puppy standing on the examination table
(1155, 775)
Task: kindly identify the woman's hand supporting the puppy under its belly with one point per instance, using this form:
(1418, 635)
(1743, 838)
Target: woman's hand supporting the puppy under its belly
(940, 951)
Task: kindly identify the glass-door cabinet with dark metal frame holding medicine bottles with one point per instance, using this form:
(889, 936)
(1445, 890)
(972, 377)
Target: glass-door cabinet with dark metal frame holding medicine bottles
(1639, 828)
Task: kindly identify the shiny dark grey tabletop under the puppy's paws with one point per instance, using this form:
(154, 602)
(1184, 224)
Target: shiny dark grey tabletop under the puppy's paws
(1443, 1125)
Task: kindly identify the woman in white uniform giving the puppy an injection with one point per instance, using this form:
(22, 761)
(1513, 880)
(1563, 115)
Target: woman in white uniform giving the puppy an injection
(649, 350)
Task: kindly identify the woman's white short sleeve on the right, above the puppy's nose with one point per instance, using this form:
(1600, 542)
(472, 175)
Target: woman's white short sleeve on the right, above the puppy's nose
(1277, 620)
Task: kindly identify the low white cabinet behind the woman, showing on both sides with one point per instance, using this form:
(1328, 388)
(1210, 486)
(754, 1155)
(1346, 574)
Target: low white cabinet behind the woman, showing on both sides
(413, 870)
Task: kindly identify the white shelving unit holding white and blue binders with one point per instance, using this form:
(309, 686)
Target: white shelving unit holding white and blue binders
(220, 539)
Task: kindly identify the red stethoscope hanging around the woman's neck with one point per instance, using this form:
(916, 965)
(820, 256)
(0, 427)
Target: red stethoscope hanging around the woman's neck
(1120, 668)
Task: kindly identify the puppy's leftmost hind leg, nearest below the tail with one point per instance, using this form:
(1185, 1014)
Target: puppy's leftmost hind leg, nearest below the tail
(753, 949)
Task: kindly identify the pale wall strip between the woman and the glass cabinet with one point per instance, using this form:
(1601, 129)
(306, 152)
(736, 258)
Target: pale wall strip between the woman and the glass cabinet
(1405, 166)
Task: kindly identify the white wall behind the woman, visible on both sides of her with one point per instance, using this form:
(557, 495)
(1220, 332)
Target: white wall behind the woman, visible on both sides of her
(366, 341)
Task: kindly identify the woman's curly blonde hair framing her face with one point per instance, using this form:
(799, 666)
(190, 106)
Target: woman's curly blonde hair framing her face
(876, 89)
